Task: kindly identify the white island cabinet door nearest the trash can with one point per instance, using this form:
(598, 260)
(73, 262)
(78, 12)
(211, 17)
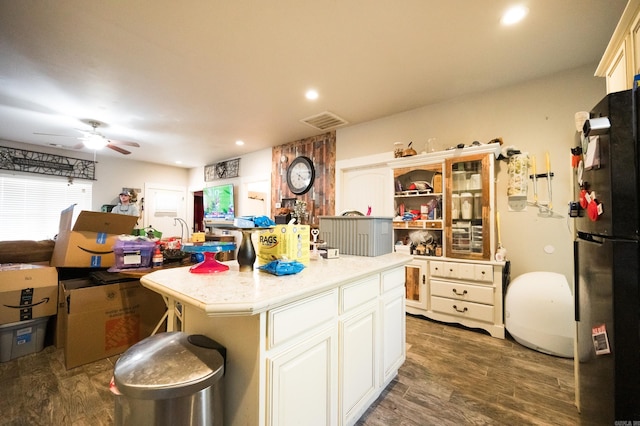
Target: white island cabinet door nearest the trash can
(304, 383)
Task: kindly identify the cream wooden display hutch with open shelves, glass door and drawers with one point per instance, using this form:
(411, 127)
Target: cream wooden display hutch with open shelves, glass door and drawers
(445, 218)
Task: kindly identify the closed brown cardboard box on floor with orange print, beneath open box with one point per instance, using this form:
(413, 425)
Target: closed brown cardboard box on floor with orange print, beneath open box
(99, 321)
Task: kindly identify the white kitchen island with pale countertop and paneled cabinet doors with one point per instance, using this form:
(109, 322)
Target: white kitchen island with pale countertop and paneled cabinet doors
(317, 347)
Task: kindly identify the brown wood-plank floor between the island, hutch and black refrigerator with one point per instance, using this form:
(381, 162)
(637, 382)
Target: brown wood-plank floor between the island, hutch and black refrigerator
(455, 376)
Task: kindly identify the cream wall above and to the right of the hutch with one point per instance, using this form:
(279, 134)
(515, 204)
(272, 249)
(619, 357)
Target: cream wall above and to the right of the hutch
(536, 117)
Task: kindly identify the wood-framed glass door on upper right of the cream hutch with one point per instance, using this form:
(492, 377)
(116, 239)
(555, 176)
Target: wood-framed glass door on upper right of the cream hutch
(467, 227)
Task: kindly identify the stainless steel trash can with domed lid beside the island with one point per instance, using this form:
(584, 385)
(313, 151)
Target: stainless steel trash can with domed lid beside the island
(170, 379)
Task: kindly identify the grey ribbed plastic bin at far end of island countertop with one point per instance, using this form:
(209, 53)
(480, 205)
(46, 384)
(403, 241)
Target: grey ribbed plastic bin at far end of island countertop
(358, 235)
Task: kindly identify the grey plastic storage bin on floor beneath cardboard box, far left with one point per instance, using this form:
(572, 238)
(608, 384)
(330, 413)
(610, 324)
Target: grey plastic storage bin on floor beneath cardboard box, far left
(22, 338)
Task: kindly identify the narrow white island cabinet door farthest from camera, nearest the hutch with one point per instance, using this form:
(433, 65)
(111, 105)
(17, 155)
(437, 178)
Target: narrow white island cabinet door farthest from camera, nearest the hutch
(393, 333)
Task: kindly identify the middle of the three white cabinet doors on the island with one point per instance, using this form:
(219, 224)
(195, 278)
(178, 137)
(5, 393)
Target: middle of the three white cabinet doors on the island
(358, 361)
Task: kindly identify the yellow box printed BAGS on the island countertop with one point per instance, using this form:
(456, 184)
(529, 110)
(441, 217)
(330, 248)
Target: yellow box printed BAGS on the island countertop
(290, 241)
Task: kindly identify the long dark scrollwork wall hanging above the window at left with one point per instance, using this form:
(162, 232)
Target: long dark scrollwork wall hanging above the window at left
(21, 160)
